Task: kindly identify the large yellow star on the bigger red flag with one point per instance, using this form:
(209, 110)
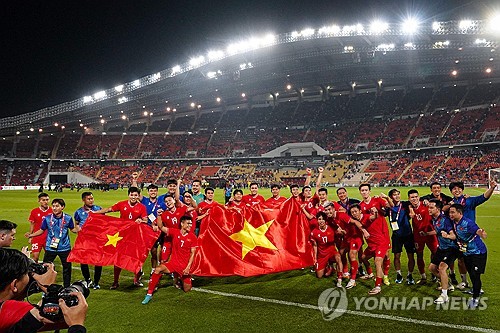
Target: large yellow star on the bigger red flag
(250, 237)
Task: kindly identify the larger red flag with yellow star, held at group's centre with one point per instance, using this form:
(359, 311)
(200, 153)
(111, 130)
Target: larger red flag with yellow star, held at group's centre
(253, 241)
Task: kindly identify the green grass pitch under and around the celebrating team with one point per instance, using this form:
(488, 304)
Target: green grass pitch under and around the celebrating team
(198, 311)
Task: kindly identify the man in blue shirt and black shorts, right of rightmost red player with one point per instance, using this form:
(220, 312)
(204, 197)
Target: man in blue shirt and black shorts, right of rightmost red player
(447, 250)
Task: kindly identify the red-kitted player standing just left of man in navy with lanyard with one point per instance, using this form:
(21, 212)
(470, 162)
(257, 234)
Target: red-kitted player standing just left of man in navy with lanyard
(378, 242)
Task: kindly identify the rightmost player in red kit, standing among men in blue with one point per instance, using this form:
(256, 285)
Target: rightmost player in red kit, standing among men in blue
(422, 224)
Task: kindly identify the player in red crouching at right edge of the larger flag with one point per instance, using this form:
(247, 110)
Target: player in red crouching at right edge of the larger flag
(325, 253)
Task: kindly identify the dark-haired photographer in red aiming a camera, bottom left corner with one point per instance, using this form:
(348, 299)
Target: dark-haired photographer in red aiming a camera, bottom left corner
(21, 316)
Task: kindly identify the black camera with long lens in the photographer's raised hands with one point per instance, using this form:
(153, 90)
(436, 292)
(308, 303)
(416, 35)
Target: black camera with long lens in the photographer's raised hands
(50, 302)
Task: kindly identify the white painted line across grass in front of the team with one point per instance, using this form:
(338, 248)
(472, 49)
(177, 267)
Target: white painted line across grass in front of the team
(356, 313)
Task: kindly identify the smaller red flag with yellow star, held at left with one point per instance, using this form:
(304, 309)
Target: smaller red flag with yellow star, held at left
(106, 240)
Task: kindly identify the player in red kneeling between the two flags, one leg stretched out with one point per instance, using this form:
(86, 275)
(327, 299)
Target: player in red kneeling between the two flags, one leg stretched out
(184, 244)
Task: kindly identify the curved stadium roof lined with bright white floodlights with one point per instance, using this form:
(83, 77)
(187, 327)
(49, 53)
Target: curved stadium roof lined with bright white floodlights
(326, 58)
